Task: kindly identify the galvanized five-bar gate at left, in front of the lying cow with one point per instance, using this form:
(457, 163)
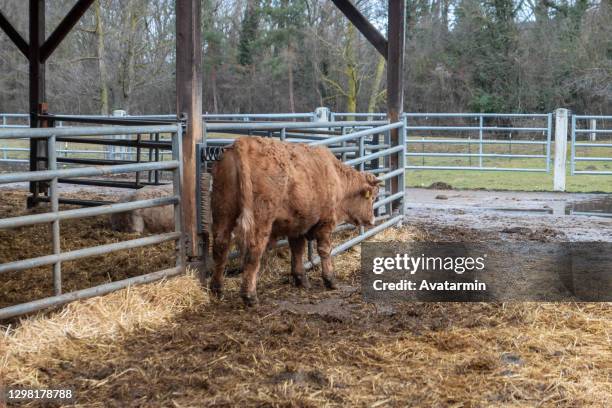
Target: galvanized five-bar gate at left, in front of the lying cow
(53, 174)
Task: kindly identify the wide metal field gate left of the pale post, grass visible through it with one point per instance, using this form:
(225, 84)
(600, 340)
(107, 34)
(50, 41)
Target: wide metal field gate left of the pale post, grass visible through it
(481, 137)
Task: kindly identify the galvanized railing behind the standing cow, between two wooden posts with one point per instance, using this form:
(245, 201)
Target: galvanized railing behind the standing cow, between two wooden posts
(369, 150)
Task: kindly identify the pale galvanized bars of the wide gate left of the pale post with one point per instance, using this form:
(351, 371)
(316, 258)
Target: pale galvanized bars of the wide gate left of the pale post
(478, 135)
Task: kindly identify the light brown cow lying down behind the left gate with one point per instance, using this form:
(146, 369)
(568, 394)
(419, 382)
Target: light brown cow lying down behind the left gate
(153, 219)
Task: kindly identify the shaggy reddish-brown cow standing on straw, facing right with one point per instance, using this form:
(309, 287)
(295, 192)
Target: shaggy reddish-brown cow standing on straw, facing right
(268, 189)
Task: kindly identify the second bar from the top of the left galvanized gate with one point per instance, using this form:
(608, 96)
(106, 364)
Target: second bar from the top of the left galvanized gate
(85, 171)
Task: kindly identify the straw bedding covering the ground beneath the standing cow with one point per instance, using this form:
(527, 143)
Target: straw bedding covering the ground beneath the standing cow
(170, 344)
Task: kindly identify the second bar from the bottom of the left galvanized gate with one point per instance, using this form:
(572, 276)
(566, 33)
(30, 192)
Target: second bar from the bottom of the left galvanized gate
(87, 252)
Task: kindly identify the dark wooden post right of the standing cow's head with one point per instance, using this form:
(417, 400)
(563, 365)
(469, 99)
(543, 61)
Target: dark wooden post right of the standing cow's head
(395, 76)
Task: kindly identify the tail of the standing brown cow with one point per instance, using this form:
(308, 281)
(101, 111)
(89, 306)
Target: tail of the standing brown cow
(245, 197)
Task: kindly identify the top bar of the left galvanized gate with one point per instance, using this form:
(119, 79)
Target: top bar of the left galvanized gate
(84, 131)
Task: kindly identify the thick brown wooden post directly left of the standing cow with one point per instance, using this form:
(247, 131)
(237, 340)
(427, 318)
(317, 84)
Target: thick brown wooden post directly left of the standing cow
(189, 105)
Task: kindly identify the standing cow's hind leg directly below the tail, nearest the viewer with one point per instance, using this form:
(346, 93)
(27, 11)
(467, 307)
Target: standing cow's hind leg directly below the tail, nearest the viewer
(252, 262)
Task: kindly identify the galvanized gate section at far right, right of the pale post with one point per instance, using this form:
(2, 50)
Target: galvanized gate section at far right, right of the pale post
(590, 128)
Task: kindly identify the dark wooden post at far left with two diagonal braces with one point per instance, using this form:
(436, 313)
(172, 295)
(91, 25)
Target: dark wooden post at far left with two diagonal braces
(37, 91)
